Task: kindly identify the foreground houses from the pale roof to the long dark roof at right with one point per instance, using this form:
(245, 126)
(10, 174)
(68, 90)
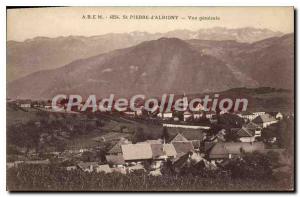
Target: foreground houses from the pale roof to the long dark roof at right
(125, 157)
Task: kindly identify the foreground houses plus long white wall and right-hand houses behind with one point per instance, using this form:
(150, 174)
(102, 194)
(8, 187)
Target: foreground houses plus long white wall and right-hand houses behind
(183, 149)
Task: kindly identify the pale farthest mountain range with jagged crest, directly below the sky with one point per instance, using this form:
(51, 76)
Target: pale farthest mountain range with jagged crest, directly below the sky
(43, 53)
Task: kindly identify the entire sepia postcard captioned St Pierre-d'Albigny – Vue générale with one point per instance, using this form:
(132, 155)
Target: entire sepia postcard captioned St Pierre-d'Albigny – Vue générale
(150, 99)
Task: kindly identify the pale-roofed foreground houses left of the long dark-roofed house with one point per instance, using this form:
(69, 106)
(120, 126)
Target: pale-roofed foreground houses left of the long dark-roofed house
(126, 157)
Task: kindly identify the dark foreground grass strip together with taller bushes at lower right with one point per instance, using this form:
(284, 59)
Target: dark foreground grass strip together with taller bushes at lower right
(252, 173)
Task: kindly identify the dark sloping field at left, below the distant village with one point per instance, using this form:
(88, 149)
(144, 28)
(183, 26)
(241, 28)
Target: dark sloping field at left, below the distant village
(82, 128)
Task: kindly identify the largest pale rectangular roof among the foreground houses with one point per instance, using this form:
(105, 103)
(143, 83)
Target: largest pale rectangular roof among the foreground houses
(136, 151)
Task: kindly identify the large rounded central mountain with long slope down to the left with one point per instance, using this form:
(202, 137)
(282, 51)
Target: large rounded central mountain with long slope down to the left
(166, 65)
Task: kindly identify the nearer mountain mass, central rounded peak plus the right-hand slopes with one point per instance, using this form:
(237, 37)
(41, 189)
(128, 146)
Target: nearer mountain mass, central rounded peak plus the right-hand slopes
(167, 65)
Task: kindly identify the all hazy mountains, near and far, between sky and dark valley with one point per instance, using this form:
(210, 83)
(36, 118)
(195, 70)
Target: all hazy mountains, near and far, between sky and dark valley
(164, 65)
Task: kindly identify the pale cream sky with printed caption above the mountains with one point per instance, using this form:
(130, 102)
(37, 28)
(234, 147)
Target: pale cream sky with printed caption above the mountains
(28, 23)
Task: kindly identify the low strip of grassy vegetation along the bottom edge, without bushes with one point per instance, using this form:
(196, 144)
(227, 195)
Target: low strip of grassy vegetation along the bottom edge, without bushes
(47, 179)
